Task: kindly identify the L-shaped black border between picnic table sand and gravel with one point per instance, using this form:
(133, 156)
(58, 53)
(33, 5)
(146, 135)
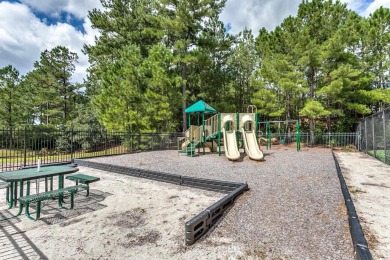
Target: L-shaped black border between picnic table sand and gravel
(201, 223)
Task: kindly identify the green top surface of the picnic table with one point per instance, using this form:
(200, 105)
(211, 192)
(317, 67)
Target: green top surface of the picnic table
(32, 173)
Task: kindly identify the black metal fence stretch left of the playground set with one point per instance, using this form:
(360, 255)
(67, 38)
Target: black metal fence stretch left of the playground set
(20, 148)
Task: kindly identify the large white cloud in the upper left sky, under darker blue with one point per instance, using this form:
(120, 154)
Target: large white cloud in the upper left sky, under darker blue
(23, 37)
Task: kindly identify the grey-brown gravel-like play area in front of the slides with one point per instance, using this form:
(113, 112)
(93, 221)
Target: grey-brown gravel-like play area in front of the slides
(294, 209)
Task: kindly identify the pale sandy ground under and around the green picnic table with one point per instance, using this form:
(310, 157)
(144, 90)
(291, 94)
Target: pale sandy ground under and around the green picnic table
(124, 218)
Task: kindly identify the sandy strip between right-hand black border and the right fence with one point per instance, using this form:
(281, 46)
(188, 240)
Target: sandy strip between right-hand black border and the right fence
(368, 182)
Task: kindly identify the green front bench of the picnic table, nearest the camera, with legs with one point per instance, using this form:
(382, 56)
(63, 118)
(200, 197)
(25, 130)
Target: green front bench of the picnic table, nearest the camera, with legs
(54, 194)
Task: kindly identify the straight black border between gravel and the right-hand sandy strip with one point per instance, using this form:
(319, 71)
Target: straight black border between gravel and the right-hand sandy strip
(360, 245)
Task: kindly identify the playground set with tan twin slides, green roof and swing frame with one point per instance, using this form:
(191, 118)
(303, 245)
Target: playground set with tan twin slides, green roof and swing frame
(230, 130)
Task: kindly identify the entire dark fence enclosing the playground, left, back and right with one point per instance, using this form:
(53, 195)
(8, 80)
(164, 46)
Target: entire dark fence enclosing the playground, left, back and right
(21, 148)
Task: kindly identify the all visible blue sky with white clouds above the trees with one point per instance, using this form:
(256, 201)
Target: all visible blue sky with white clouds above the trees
(28, 27)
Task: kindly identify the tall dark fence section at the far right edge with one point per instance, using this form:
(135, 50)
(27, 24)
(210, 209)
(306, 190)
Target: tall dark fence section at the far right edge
(375, 135)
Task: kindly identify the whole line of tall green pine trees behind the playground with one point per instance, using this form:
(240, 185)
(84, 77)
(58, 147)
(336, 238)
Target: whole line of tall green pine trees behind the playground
(153, 58)
